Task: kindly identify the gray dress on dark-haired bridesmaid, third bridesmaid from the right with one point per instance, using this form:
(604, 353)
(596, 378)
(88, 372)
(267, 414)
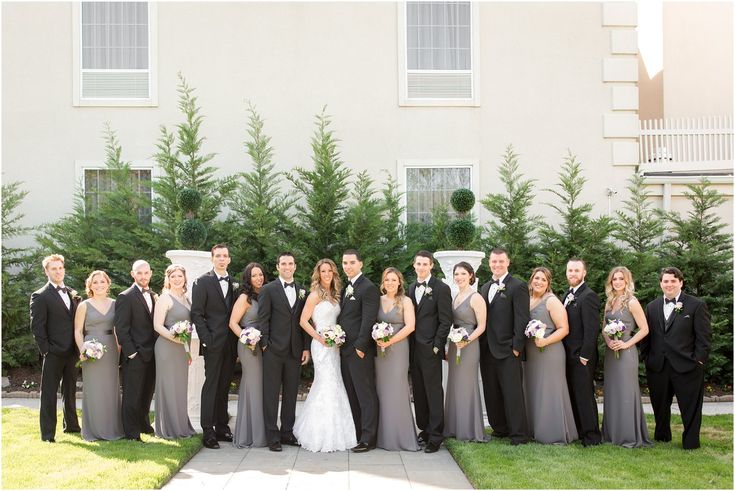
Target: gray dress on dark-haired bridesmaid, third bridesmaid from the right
(462, 409)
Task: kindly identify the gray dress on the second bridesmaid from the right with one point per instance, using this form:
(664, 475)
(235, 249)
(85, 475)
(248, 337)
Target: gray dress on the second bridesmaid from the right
(548, 406)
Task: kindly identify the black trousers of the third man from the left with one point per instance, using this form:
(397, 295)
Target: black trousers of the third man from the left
(218, 369)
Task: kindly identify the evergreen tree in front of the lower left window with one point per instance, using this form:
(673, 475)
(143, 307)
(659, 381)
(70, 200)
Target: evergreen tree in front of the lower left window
(109, 236)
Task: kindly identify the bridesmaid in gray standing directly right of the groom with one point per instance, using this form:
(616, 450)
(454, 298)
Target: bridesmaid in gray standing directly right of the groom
(396, 426)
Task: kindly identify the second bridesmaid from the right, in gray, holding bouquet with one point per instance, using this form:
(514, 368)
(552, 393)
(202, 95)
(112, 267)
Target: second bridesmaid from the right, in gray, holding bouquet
(548, 406)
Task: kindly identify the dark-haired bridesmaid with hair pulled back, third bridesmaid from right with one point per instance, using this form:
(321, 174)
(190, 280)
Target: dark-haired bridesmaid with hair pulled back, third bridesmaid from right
(462, 410)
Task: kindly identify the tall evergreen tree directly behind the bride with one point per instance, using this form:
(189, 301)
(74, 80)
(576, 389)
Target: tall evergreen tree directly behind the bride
(320, 214)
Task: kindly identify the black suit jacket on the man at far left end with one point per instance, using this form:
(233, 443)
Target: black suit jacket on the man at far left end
(52, 324)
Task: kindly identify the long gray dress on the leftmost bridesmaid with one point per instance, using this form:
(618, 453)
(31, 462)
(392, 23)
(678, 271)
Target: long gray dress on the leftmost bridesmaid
(101, 416)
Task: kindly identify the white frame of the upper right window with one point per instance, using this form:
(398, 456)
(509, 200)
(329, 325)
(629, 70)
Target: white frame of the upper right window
(403, 99)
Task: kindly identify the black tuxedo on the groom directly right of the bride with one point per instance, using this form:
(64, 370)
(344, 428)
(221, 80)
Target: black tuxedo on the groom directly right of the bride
(359, 312)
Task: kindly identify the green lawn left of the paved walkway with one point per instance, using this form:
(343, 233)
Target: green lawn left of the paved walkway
(73, 463)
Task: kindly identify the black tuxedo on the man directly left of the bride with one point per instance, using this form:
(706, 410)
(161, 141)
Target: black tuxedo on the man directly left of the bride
(283, 341)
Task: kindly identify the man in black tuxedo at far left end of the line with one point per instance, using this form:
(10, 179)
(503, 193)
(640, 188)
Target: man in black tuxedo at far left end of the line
(52, 323)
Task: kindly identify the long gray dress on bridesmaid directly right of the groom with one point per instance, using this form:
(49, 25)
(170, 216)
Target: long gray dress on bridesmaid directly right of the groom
(396, 426)
